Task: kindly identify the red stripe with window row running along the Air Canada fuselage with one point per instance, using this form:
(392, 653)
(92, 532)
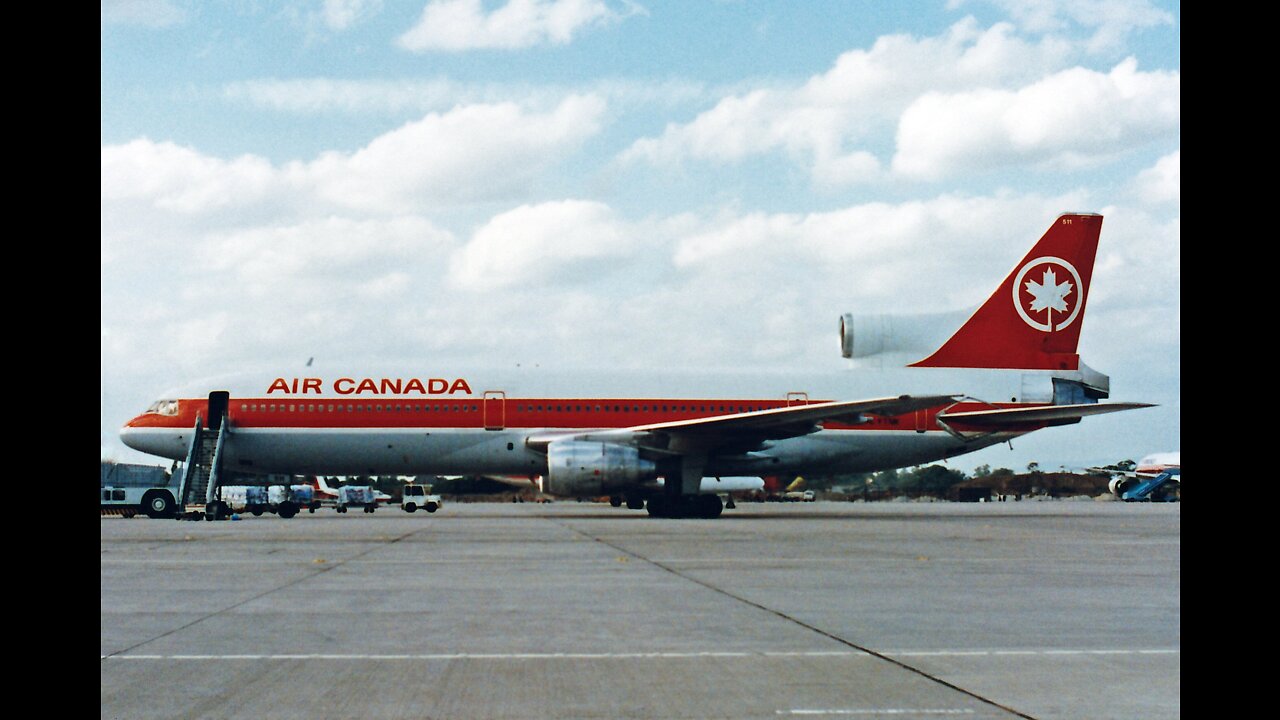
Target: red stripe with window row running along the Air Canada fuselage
(476, 413)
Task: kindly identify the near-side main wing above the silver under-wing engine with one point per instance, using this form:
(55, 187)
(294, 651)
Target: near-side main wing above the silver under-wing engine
(748, 430)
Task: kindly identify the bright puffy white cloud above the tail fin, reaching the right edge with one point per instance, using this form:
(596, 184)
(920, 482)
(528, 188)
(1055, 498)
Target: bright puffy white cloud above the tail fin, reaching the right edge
(1073, 119)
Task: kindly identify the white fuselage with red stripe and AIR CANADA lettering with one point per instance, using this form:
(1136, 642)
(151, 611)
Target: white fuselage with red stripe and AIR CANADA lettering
(479, 423)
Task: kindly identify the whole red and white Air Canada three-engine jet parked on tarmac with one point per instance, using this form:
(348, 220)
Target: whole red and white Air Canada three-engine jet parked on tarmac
(1012, 368)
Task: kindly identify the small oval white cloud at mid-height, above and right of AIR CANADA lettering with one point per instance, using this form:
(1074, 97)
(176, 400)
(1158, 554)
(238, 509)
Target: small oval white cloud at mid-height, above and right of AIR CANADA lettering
(532, 243)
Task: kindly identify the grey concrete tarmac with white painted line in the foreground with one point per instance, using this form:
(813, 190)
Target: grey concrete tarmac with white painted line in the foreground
(1034, 609)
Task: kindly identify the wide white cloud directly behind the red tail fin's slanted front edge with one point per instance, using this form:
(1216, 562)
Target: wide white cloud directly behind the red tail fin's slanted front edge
(879, 253)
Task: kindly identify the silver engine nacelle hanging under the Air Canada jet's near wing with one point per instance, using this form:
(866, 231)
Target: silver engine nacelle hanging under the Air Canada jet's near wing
(577, 468)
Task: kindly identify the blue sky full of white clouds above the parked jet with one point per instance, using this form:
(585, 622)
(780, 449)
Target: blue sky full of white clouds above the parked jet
(618, 184)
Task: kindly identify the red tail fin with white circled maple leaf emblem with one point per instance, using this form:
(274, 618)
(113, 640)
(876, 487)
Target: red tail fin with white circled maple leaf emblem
(1034, 320)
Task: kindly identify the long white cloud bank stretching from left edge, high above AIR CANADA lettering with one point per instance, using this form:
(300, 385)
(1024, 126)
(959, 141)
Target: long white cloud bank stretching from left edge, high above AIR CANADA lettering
(472, 153)
